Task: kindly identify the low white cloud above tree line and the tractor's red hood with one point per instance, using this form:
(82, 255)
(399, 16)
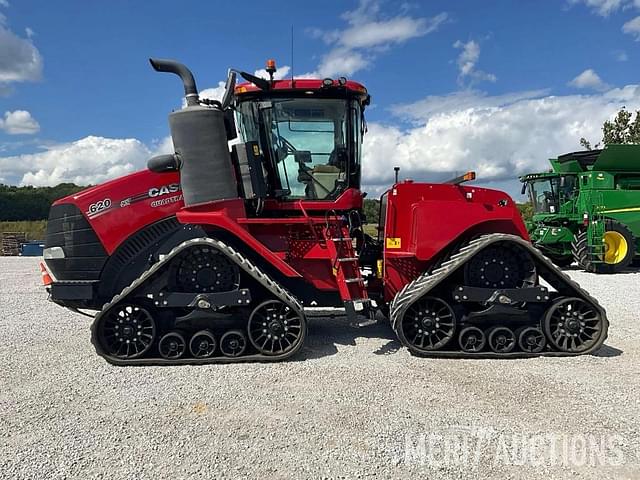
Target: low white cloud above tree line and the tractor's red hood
(89, 160)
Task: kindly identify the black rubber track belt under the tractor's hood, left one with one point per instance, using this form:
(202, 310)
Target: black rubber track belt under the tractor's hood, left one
(235, 256)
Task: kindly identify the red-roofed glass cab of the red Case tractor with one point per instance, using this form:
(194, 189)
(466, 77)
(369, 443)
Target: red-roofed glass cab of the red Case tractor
(308, 133)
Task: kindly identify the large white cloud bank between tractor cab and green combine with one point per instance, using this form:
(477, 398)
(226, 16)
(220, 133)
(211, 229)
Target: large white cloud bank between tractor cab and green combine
(498, 137)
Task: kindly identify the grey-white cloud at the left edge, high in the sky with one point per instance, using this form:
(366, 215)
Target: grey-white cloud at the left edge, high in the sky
(20, 60)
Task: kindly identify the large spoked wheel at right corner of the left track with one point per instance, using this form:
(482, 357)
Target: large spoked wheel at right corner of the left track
(275, 329)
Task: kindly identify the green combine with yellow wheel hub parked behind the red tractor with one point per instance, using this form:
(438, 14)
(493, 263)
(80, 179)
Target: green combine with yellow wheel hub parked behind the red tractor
(587, 208)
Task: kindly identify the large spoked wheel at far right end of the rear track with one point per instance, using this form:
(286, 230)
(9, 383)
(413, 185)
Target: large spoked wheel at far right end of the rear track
(572, 325)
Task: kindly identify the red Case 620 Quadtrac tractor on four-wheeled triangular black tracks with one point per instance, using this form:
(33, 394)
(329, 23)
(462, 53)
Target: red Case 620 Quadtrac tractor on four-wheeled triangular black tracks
(215, 254)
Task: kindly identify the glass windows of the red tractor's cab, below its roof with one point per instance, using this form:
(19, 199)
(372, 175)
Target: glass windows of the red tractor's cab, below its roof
(307, 139)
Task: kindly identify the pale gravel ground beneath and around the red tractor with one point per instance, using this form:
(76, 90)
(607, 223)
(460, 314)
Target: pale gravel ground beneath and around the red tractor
(352, 405)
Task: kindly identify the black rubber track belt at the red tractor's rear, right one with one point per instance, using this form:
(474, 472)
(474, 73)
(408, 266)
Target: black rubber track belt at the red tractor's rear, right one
(422, 285)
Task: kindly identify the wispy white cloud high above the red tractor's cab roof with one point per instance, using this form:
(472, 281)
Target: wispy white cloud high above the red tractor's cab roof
(367, 34)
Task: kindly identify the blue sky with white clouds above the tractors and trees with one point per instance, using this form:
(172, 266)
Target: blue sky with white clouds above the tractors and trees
(494, 86)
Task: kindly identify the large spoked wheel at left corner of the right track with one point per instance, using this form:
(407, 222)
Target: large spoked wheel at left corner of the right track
(428, 324)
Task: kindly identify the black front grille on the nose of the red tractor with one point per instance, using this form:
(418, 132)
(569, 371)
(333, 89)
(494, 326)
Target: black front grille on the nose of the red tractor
(84, 254)
